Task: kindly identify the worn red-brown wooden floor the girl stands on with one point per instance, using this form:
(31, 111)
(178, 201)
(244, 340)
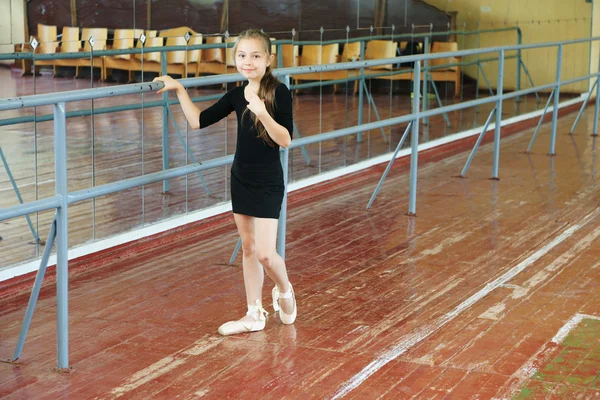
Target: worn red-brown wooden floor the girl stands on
(492, 291)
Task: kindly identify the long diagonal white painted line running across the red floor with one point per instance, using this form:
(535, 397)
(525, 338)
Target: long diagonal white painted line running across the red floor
(424, 332)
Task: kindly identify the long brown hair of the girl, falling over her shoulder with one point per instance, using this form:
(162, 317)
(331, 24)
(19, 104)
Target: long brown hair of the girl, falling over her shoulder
(268, 83)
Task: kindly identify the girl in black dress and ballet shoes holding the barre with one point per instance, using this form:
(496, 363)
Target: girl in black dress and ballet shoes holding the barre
(263, 107)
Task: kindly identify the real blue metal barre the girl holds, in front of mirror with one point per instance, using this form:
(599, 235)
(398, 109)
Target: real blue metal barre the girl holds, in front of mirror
(63, 198)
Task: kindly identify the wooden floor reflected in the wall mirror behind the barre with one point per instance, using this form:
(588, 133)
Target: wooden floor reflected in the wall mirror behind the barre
(112, 147)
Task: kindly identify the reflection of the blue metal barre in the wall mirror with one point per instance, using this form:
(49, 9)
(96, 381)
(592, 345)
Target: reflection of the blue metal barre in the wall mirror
(363, 90)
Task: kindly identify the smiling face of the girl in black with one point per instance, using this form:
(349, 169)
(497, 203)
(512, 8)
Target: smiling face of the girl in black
(252, 58)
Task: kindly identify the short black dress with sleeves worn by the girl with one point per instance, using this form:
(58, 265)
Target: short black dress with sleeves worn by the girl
(257, 185)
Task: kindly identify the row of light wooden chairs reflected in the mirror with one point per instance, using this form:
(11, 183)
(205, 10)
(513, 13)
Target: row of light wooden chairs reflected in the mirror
(220, 60)
